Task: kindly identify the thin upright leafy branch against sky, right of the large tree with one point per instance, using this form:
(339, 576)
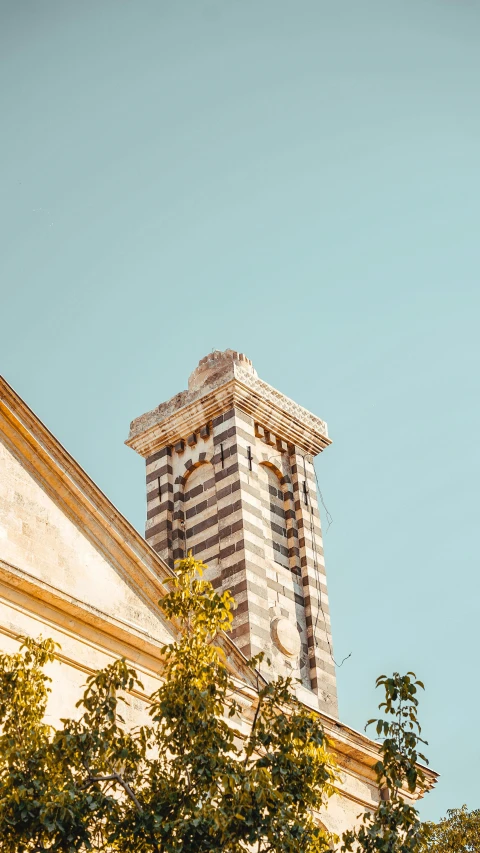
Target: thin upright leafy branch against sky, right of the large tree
(395, 826)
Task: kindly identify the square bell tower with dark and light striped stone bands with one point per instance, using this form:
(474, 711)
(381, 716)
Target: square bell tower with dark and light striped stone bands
(230, 476)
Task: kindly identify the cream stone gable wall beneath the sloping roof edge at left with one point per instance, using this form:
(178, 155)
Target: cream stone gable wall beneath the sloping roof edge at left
(46, 551)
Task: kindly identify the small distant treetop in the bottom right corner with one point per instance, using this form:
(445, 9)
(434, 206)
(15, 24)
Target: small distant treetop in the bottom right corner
(458, 832)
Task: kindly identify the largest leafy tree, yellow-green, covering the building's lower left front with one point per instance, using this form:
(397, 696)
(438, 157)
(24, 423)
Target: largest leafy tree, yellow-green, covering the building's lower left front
(187, 780)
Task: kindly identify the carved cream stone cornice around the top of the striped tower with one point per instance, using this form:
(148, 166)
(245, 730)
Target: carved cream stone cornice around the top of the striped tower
(235, 387)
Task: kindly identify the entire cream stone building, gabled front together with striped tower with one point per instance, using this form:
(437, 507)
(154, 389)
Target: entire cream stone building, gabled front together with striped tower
(229, 469)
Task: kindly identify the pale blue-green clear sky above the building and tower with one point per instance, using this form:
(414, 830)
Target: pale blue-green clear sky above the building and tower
(300, 181)
